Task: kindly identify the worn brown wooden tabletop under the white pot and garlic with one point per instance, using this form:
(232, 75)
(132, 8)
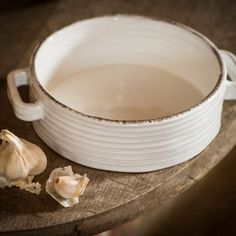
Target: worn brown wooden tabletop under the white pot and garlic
(111, 198)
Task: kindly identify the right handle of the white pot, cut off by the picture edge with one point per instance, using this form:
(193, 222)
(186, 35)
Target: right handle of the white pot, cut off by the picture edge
(230, 61)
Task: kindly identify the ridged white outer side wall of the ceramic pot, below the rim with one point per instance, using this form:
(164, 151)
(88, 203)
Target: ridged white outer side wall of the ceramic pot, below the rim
(128, 147)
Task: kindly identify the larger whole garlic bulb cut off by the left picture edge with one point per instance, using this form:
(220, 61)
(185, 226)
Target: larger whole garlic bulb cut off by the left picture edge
(20, 159)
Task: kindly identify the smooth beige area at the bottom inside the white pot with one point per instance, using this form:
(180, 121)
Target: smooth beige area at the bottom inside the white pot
(125, 92)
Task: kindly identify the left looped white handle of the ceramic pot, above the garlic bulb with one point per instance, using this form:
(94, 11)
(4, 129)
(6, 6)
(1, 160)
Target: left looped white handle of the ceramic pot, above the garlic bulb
(22, 110)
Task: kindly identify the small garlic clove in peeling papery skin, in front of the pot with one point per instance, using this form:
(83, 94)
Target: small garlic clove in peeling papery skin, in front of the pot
(65, 186)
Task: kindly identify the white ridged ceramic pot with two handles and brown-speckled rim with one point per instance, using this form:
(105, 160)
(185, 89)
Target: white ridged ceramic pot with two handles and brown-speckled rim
(132, 145)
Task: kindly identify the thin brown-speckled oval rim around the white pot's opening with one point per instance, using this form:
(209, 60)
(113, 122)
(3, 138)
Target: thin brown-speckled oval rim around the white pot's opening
(158, 119)
